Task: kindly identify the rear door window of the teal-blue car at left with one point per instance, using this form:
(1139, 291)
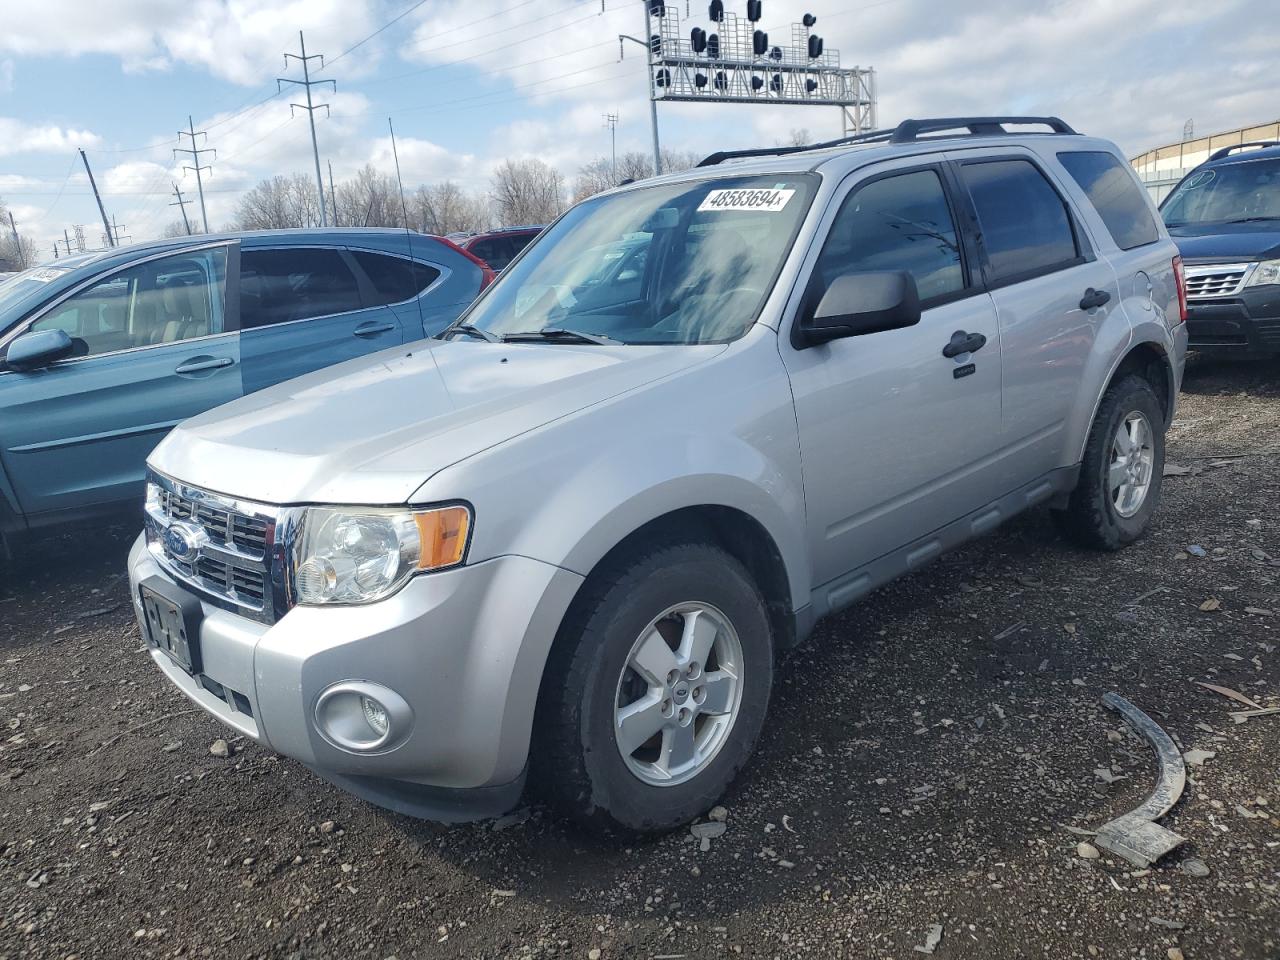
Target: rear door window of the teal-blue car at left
(278, 286)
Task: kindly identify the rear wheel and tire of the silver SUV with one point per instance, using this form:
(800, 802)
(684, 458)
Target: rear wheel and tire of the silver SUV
(1121, 477)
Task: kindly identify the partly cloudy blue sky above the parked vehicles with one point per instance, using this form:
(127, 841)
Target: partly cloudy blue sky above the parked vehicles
(472, 83)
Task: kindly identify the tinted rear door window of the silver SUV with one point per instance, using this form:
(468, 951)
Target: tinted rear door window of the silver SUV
(1026, 227)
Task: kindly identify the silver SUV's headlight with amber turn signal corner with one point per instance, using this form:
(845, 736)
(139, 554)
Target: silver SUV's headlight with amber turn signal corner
(358, 555)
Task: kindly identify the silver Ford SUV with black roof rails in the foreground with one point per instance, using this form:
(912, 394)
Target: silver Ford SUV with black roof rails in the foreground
(568, 541)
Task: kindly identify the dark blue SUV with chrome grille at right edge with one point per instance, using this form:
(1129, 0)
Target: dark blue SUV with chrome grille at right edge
(1226, 218)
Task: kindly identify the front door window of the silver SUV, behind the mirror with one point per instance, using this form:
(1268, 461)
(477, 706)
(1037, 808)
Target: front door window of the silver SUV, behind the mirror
(897, 223)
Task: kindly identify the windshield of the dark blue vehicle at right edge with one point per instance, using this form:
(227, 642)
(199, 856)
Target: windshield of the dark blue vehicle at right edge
(1233, 193)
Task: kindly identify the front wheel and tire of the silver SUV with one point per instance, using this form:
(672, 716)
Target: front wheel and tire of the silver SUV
(656, 692)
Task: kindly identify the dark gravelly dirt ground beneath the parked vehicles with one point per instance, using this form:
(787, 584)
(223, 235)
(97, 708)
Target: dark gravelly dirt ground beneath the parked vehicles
(924, 753)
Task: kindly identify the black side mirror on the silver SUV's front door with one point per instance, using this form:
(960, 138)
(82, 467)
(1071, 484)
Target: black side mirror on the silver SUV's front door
(860, 304)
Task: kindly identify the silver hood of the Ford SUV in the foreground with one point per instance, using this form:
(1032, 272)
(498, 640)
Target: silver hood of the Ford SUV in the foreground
(374, 429)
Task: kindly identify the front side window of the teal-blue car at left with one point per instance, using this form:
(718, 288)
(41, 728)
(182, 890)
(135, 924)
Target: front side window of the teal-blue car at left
(159, 301)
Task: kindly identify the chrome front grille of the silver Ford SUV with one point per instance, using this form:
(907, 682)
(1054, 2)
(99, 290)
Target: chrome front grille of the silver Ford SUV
(241, 559)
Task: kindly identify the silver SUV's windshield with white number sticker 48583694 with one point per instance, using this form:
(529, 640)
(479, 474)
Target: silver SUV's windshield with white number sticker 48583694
(680, 263)
